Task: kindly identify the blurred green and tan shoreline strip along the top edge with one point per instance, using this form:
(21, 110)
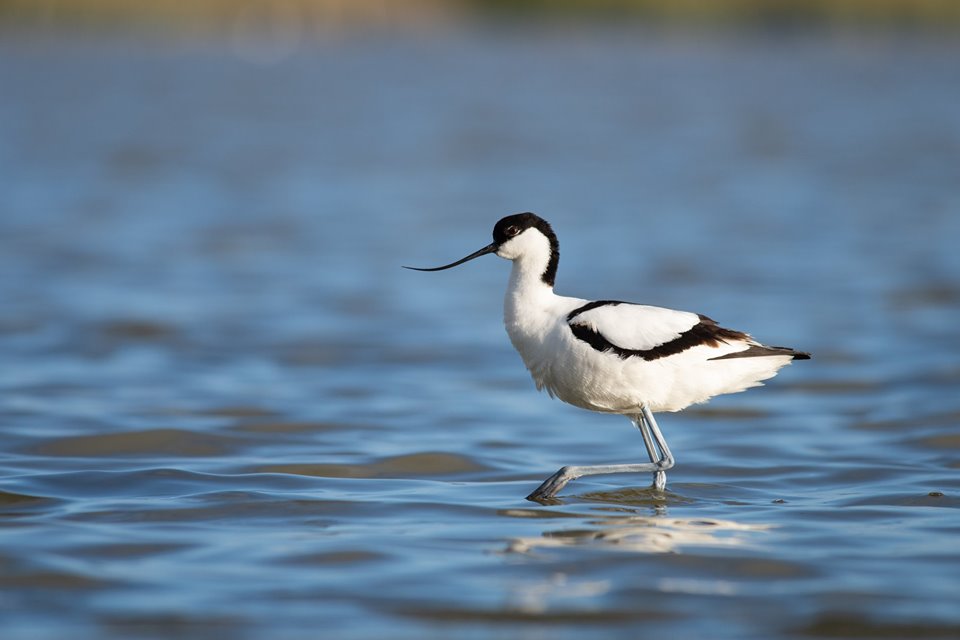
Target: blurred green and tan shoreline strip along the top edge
(203, 17)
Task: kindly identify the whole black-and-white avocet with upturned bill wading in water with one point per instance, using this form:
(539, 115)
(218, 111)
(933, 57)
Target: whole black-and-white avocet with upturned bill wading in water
(612, 356)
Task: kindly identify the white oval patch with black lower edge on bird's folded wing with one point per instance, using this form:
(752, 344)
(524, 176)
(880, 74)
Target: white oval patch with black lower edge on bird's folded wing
(629, 327)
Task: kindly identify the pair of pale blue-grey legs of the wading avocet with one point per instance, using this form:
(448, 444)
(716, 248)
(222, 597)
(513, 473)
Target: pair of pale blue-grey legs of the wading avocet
(652, 439)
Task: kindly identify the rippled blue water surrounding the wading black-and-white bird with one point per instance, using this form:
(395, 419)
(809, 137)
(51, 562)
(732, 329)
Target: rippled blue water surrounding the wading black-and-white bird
(227, 412)
